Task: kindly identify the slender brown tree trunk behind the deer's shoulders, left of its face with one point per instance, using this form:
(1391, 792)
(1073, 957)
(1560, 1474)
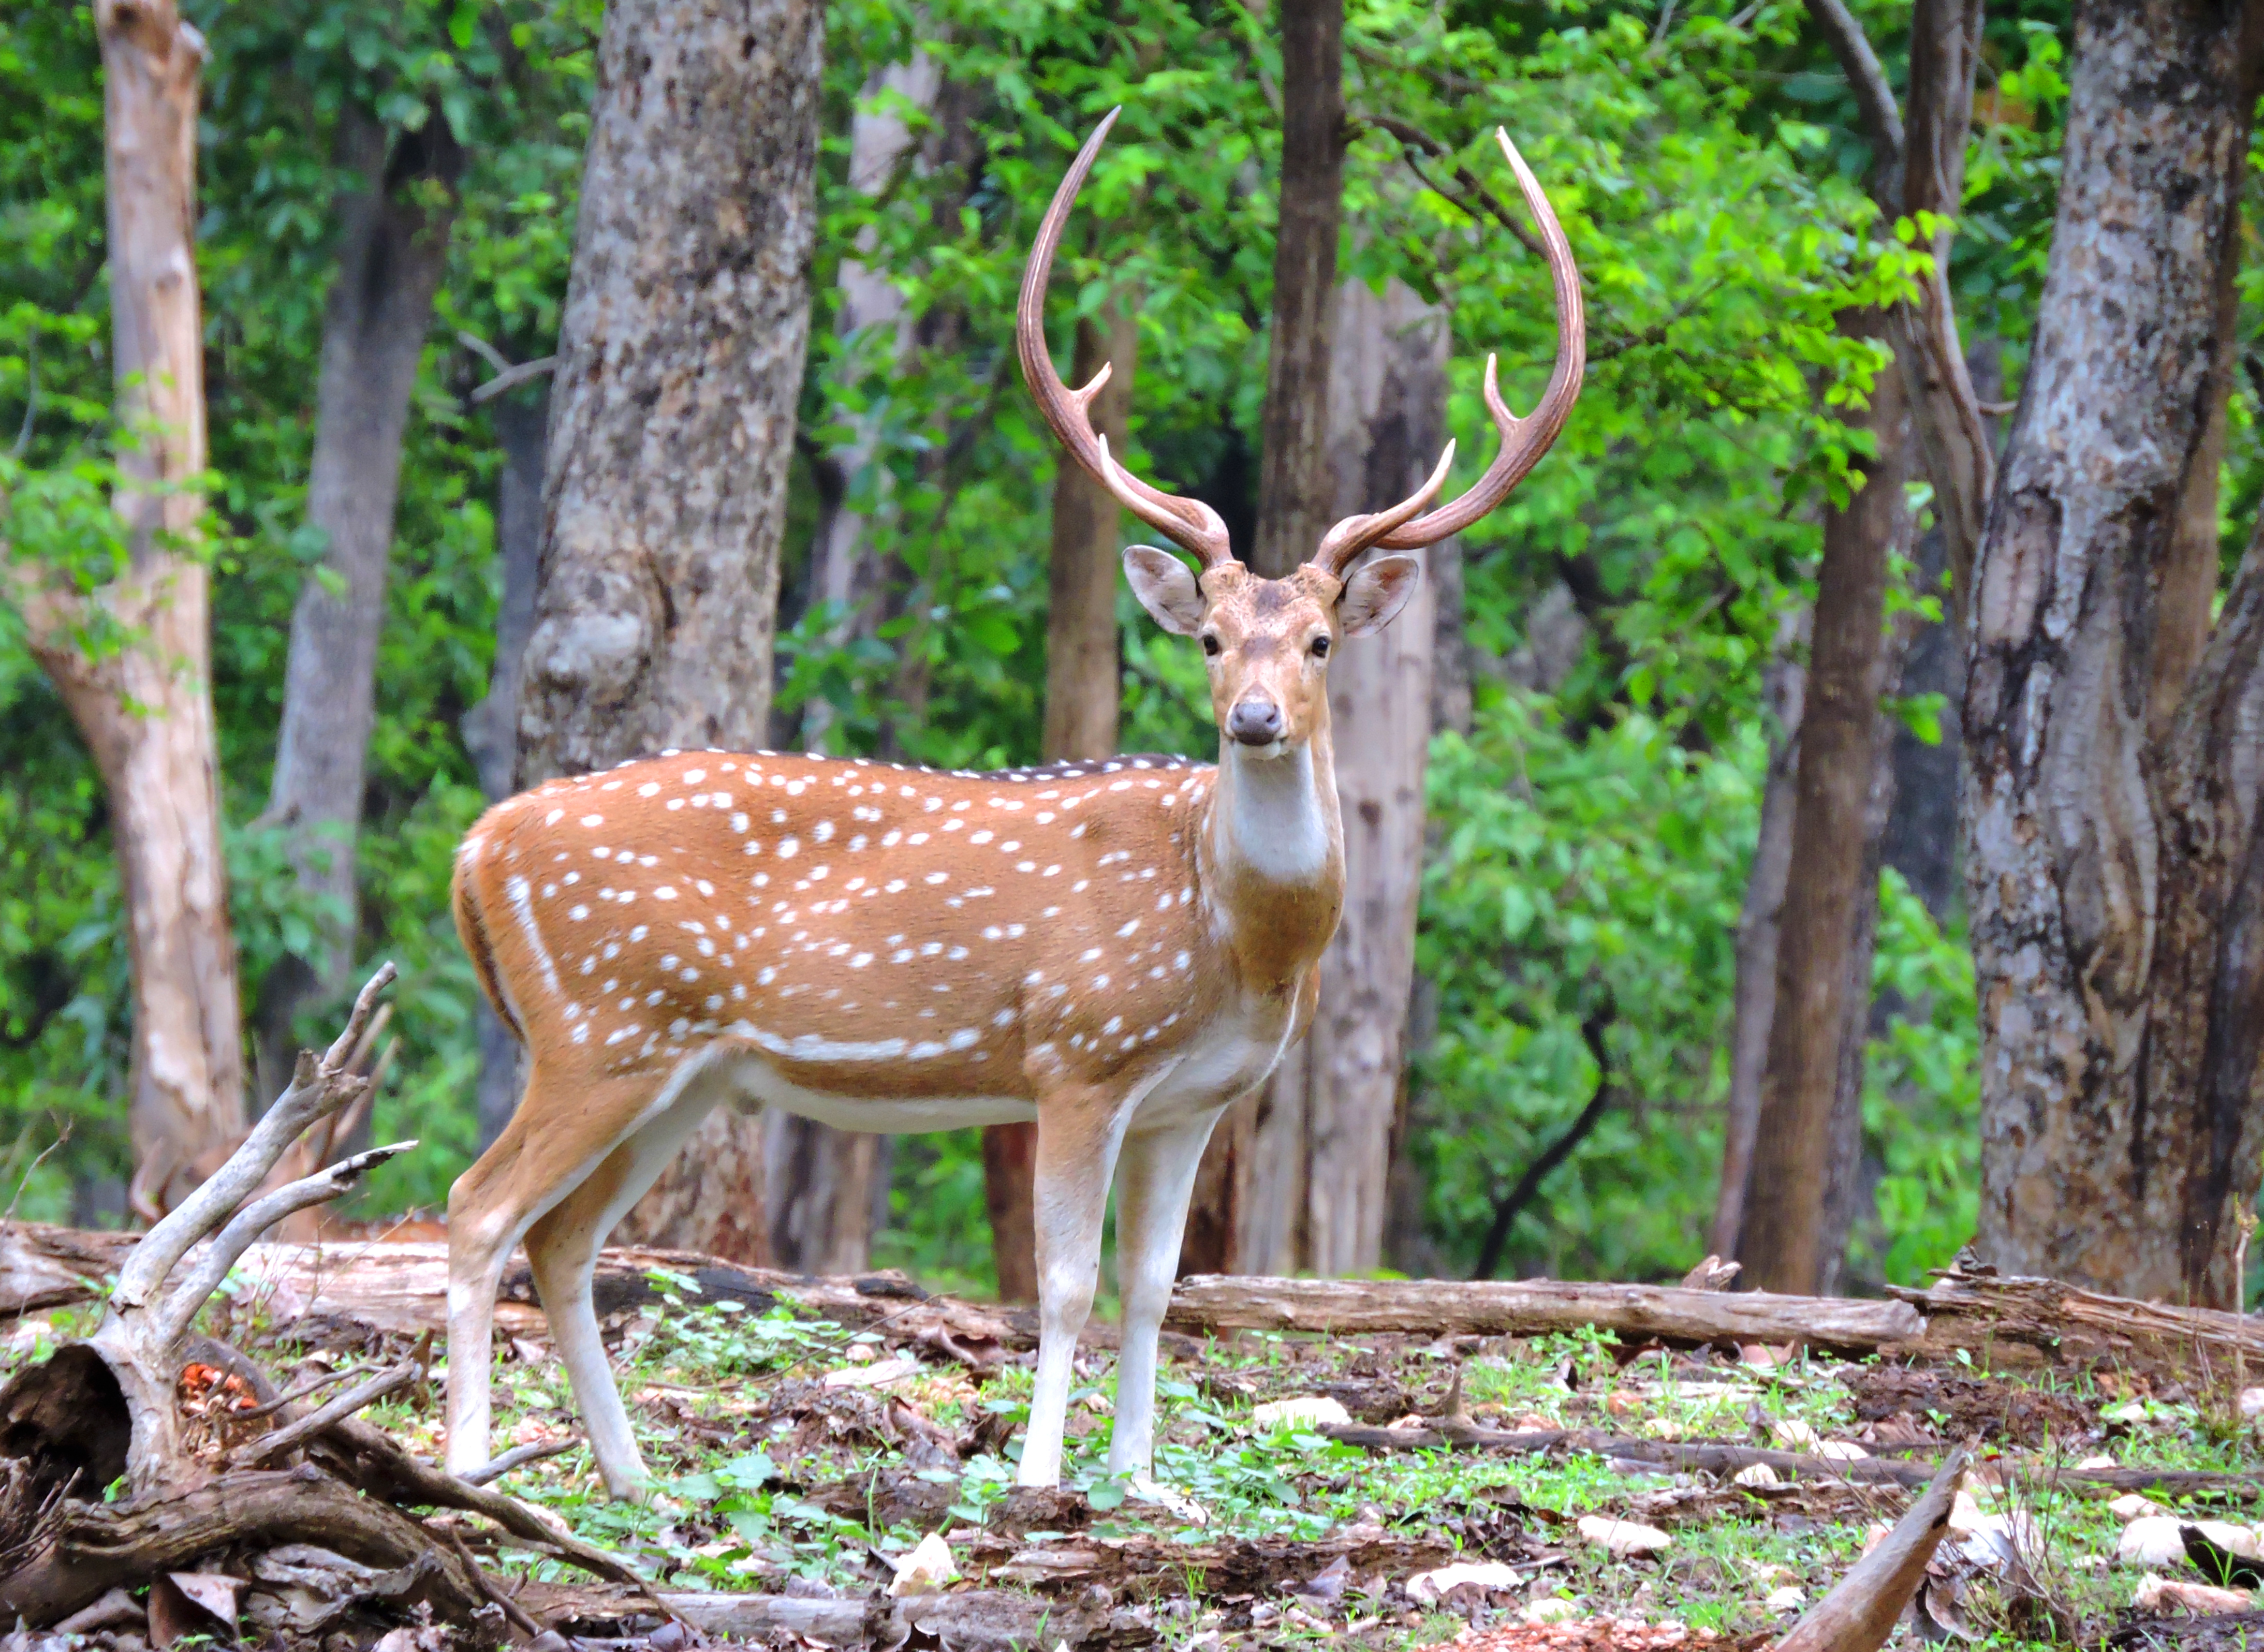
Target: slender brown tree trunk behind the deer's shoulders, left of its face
(1081, 712)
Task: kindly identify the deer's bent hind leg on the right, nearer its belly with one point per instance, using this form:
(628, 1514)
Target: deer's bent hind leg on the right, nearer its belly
(563, 1250)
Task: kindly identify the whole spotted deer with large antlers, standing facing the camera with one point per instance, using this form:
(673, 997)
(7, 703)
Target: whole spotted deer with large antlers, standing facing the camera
(1110, 949)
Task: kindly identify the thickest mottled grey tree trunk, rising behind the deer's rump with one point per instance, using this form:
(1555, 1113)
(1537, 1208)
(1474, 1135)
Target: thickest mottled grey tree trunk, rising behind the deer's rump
(680, 365)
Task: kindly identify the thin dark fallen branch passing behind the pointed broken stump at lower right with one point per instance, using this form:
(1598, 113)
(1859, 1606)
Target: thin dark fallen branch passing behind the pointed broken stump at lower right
(1724, 1456)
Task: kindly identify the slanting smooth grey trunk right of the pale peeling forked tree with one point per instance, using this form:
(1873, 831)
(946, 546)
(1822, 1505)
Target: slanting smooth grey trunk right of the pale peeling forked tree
(391, 261)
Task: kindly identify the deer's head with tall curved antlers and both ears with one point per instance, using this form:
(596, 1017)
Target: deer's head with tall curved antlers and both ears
(1269, 642)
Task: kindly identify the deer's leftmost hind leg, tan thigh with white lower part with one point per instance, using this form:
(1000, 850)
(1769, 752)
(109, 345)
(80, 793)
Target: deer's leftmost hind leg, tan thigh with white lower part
(535, 1162)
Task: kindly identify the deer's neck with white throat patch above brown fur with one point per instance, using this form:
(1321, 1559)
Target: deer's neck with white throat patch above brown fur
(1276, 850)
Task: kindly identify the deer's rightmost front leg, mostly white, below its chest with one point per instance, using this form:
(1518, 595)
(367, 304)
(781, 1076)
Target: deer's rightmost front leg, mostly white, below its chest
(1154, 1187)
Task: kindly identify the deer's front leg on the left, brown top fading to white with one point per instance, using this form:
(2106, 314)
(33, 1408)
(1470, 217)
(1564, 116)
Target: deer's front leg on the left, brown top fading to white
(1077, 1155)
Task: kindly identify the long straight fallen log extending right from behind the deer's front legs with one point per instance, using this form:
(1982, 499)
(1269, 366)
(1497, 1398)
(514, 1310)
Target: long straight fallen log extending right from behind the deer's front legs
(1448, 1307)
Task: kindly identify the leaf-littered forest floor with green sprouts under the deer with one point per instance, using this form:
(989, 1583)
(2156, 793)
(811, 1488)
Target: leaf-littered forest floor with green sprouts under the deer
(798, 1459)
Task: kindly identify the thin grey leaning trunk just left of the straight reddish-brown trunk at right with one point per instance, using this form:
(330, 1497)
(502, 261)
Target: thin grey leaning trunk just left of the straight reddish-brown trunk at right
(1756, 995)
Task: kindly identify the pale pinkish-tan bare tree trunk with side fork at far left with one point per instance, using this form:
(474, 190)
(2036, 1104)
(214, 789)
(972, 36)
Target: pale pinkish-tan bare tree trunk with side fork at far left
(146, 705)
